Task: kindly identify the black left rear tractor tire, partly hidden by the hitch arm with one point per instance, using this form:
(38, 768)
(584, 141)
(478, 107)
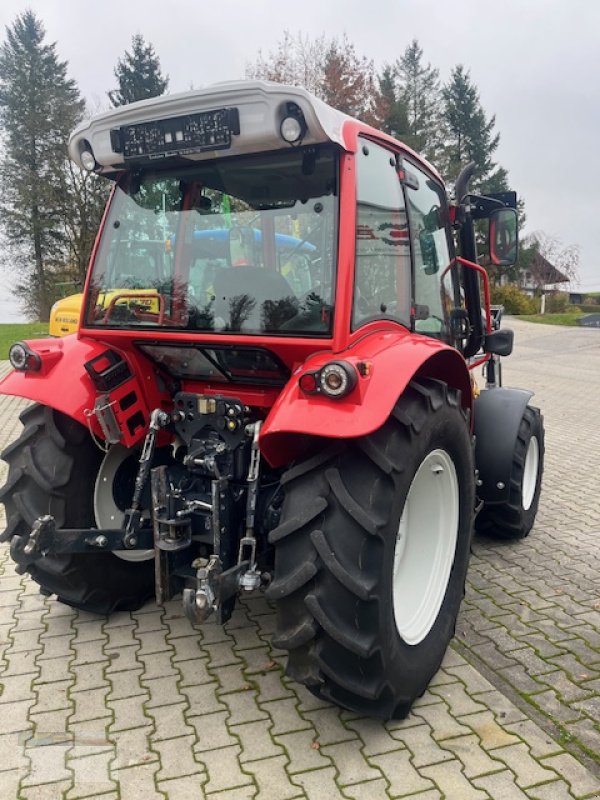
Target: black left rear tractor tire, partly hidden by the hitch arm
(52, 469)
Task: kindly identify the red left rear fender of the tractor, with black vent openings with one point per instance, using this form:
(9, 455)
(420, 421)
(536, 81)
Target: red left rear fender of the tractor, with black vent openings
(63, 383)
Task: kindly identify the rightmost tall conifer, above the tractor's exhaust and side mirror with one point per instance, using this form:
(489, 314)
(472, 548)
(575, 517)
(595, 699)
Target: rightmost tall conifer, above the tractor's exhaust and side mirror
(470, 134)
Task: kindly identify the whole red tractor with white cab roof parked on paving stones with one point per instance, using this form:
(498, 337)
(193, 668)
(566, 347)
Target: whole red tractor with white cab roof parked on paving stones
(270, 386)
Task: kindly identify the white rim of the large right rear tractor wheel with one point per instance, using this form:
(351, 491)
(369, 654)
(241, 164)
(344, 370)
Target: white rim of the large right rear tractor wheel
(425, 546)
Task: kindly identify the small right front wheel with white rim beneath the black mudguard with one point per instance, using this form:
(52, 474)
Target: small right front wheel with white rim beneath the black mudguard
(514, 518)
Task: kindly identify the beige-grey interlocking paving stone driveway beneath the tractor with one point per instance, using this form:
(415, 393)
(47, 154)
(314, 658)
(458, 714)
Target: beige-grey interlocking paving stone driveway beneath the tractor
(143, 706)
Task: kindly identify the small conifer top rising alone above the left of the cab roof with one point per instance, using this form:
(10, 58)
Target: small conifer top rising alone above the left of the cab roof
(138, 74)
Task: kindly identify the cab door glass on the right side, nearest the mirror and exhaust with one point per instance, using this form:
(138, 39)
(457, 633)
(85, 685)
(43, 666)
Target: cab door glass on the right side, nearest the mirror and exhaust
(434, 282)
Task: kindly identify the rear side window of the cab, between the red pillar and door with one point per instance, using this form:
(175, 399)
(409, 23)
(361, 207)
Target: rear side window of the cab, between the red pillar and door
(382, 274)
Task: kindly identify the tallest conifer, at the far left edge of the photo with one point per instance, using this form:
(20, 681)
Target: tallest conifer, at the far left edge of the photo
(39, 106)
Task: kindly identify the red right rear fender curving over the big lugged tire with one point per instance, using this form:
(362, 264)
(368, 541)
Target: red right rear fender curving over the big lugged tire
(391, 360)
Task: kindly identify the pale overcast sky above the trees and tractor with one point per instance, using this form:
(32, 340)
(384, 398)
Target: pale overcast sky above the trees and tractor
(536, 64)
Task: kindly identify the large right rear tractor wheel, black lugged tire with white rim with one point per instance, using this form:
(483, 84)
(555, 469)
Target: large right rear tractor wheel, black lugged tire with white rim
(371, 555)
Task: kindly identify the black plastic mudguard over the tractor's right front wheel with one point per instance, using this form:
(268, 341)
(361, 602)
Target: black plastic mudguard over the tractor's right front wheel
(497, 417)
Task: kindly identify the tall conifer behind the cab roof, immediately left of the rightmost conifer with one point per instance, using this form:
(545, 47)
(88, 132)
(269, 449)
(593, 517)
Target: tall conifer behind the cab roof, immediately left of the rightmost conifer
(419, 91)
